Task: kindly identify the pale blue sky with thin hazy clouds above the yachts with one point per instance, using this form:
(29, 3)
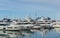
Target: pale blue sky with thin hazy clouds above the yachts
(23, 8)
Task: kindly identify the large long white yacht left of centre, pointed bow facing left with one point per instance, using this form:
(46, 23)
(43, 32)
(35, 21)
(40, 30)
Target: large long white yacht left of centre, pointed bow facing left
(19, 24)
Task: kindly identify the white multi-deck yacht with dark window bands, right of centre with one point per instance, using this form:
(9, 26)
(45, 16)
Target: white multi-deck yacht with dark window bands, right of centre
(44, 21)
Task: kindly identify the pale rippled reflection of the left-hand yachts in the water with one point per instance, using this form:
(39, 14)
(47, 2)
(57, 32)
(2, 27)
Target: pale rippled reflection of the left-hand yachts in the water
(15, 34)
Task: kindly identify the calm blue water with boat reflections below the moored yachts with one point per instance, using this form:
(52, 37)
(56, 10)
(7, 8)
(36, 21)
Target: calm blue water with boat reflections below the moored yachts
(43, 33)
